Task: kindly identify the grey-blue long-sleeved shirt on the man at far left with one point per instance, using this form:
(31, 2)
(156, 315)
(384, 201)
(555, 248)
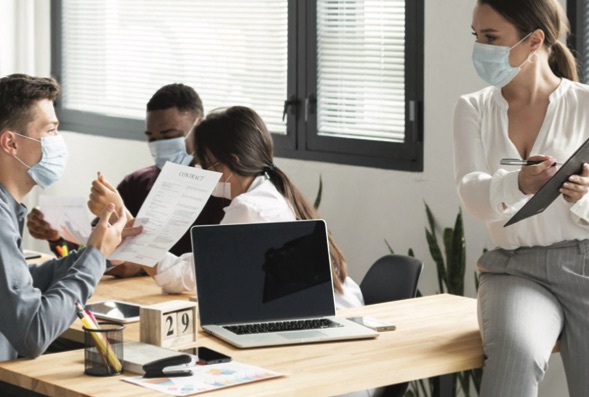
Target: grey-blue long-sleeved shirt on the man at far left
(37, 302)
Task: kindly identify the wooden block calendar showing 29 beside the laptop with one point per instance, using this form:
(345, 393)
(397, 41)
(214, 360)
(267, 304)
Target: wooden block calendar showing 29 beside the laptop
(168, 324)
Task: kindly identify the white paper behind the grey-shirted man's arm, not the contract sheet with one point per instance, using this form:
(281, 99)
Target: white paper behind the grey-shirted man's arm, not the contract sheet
(68, 215)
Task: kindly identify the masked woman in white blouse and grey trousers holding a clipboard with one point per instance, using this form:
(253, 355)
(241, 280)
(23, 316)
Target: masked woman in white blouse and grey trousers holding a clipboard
(534, 285)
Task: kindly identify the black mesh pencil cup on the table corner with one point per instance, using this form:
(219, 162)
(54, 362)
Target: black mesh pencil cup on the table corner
(103, 349)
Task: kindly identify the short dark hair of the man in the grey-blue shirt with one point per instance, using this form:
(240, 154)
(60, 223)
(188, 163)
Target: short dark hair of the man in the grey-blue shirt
(18, 94)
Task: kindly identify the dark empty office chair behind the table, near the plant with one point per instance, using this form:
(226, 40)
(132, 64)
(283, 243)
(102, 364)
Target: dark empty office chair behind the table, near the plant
(391, 278)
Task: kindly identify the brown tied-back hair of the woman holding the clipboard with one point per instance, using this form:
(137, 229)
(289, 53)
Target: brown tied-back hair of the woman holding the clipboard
(548, 16)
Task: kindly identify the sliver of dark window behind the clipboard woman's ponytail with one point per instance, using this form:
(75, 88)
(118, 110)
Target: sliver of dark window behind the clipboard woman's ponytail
(578, 14)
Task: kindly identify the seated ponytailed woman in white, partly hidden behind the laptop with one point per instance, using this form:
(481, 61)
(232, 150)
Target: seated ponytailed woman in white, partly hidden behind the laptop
(236, 142)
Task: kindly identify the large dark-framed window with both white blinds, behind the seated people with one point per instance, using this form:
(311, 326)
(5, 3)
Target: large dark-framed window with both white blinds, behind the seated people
(335, 80)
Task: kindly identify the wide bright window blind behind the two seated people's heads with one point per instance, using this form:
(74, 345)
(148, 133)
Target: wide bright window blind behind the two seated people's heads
(116, 54)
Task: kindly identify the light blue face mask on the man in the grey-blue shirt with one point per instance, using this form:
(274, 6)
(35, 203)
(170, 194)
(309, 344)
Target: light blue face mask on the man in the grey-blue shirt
(53, 160)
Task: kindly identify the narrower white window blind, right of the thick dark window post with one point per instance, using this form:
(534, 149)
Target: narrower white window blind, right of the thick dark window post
(361, 69)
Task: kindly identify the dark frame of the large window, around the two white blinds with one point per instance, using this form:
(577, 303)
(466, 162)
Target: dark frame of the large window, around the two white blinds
(301, 140)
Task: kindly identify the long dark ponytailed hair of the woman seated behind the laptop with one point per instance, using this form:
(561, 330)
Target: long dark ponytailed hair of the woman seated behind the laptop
(238, 138)
